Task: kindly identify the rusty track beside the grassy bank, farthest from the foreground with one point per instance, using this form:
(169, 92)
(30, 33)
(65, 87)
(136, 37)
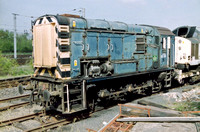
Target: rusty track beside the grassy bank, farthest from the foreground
(14, 81)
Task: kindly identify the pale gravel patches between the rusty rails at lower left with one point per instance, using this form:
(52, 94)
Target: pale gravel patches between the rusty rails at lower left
(18, 112)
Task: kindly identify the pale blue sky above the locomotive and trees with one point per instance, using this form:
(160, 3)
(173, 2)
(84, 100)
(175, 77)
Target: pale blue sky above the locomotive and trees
(165, 13)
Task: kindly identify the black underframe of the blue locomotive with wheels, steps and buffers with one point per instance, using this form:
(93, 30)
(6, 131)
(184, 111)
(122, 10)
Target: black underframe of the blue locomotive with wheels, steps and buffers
(76, 95)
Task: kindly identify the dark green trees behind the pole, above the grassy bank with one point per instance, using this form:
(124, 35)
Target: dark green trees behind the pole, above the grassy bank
(6, 42)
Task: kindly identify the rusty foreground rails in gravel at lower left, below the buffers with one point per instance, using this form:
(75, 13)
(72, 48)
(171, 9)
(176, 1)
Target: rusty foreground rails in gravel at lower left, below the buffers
(36, 116)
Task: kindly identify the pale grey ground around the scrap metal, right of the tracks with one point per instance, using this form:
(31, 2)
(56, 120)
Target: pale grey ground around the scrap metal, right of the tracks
(98, 119)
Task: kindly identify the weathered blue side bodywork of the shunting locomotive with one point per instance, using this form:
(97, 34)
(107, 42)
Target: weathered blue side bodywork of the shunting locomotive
(100, 38)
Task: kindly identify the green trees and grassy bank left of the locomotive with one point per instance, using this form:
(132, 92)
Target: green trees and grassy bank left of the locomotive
(8, 66)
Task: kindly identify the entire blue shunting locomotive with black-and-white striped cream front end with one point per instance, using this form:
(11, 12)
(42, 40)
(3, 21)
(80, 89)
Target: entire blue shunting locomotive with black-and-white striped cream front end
(80, 63)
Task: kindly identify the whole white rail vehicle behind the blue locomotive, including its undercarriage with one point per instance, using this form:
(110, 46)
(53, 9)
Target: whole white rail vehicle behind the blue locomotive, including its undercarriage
(187, 53)
